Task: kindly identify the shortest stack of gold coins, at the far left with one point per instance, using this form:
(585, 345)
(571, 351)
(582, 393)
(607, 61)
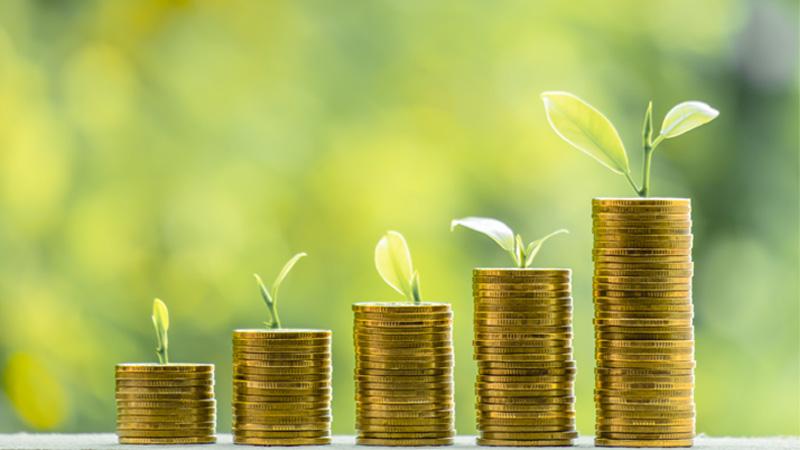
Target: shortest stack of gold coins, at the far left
(165, 404)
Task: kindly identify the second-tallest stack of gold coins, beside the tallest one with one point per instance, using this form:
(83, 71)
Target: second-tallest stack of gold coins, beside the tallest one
(523, 345)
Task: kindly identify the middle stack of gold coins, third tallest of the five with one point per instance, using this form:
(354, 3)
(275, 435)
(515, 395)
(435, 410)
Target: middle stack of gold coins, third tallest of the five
(404, 374)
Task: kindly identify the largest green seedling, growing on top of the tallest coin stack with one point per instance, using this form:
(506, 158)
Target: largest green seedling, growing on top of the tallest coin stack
(588, 130)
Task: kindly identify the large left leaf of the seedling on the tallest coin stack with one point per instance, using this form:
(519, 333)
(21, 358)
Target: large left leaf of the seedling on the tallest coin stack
(586, 129)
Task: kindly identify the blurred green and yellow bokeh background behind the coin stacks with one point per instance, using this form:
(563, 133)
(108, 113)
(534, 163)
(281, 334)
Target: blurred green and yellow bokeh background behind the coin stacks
(171, 149)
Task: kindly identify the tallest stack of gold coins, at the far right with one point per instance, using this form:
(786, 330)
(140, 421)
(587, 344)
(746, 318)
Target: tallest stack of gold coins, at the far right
(644, 379)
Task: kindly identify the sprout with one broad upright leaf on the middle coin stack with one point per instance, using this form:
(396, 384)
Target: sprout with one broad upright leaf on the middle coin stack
(393, 261)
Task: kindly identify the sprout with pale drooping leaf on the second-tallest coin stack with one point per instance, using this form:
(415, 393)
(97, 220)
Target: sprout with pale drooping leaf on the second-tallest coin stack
(505, 237)
